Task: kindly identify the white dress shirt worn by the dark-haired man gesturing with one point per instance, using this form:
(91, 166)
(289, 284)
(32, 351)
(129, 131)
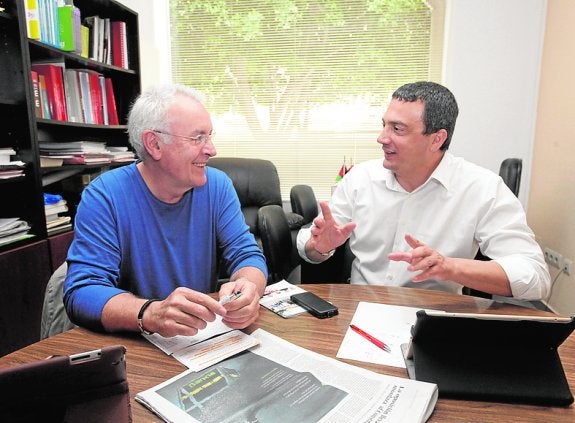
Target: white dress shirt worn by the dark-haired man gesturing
(460, 208)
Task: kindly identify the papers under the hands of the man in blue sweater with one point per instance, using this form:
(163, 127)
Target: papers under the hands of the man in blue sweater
(211, 345)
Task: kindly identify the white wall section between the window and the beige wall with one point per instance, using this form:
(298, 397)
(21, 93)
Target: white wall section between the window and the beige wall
(492, 64)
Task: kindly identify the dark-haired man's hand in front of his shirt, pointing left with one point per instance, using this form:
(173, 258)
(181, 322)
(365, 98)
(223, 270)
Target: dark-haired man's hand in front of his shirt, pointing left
(423, 258)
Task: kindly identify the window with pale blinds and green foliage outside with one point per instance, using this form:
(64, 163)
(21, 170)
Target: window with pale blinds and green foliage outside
(303, 84)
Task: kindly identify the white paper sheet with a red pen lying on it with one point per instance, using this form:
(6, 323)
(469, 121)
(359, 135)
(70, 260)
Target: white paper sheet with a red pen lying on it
(389, 323)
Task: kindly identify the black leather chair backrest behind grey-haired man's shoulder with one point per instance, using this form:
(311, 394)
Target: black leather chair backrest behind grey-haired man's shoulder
(256, 182)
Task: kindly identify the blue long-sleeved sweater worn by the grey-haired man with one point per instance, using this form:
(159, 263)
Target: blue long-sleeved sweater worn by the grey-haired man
(128, 240)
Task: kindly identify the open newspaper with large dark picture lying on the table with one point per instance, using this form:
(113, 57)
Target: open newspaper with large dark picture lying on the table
(278, 378)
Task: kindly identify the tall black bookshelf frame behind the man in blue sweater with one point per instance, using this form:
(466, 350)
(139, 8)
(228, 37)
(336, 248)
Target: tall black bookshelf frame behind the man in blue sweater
(22, 130)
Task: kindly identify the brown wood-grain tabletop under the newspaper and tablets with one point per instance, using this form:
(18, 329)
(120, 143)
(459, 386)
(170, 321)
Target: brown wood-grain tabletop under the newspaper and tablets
(148, 366)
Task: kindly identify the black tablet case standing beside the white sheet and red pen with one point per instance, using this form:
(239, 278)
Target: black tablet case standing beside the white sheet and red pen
(491, 360)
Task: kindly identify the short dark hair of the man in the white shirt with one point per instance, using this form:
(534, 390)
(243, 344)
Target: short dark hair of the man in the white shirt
(439, 106)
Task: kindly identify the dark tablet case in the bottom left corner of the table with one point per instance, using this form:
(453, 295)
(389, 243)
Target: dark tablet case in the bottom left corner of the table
(55, 390)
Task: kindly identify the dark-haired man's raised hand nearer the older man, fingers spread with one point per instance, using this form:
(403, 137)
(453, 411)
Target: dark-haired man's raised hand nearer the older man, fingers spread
(326, 234)
